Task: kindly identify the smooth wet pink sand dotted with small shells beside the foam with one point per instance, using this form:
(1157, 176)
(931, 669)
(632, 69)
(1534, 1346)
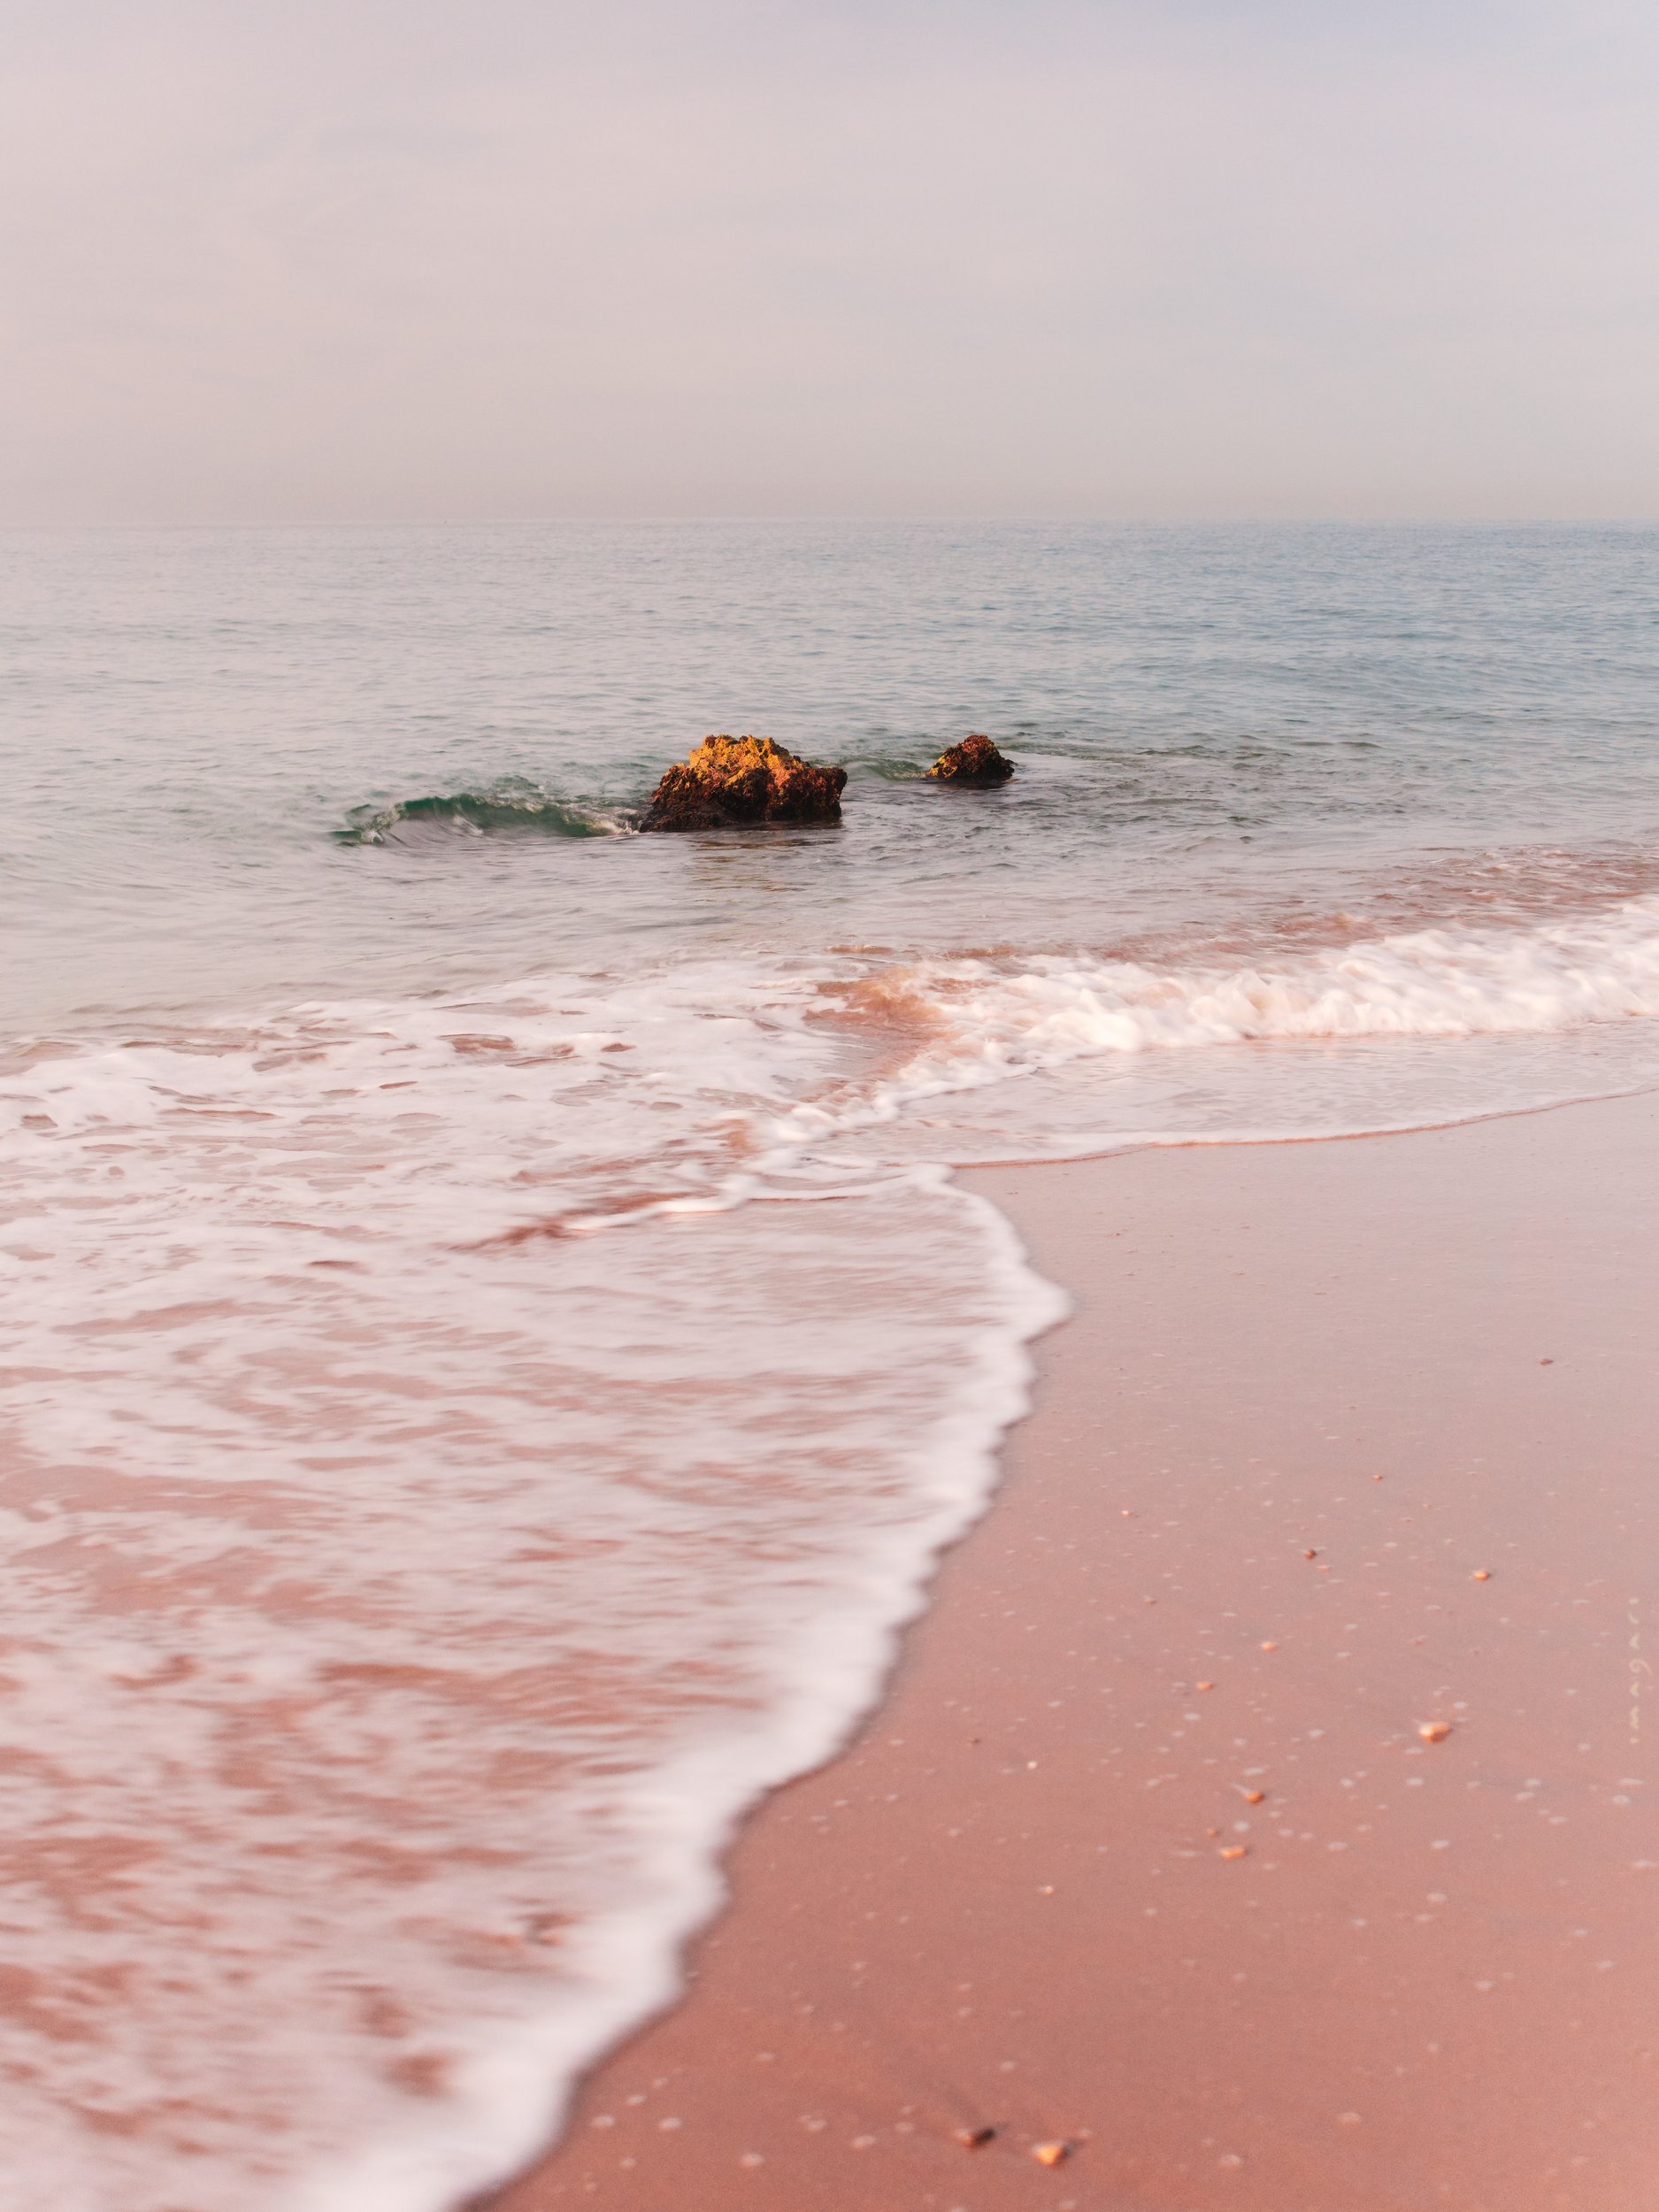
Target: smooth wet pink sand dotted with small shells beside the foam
(1311, 1395)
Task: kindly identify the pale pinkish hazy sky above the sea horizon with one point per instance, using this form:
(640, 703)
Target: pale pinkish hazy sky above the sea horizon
(1129, 258)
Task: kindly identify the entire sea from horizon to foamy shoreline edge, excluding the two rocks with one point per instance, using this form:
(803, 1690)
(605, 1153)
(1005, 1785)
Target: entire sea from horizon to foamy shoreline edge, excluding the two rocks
(492, 1337)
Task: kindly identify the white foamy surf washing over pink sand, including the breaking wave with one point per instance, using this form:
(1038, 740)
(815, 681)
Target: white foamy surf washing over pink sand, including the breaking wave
(459, 1452)
